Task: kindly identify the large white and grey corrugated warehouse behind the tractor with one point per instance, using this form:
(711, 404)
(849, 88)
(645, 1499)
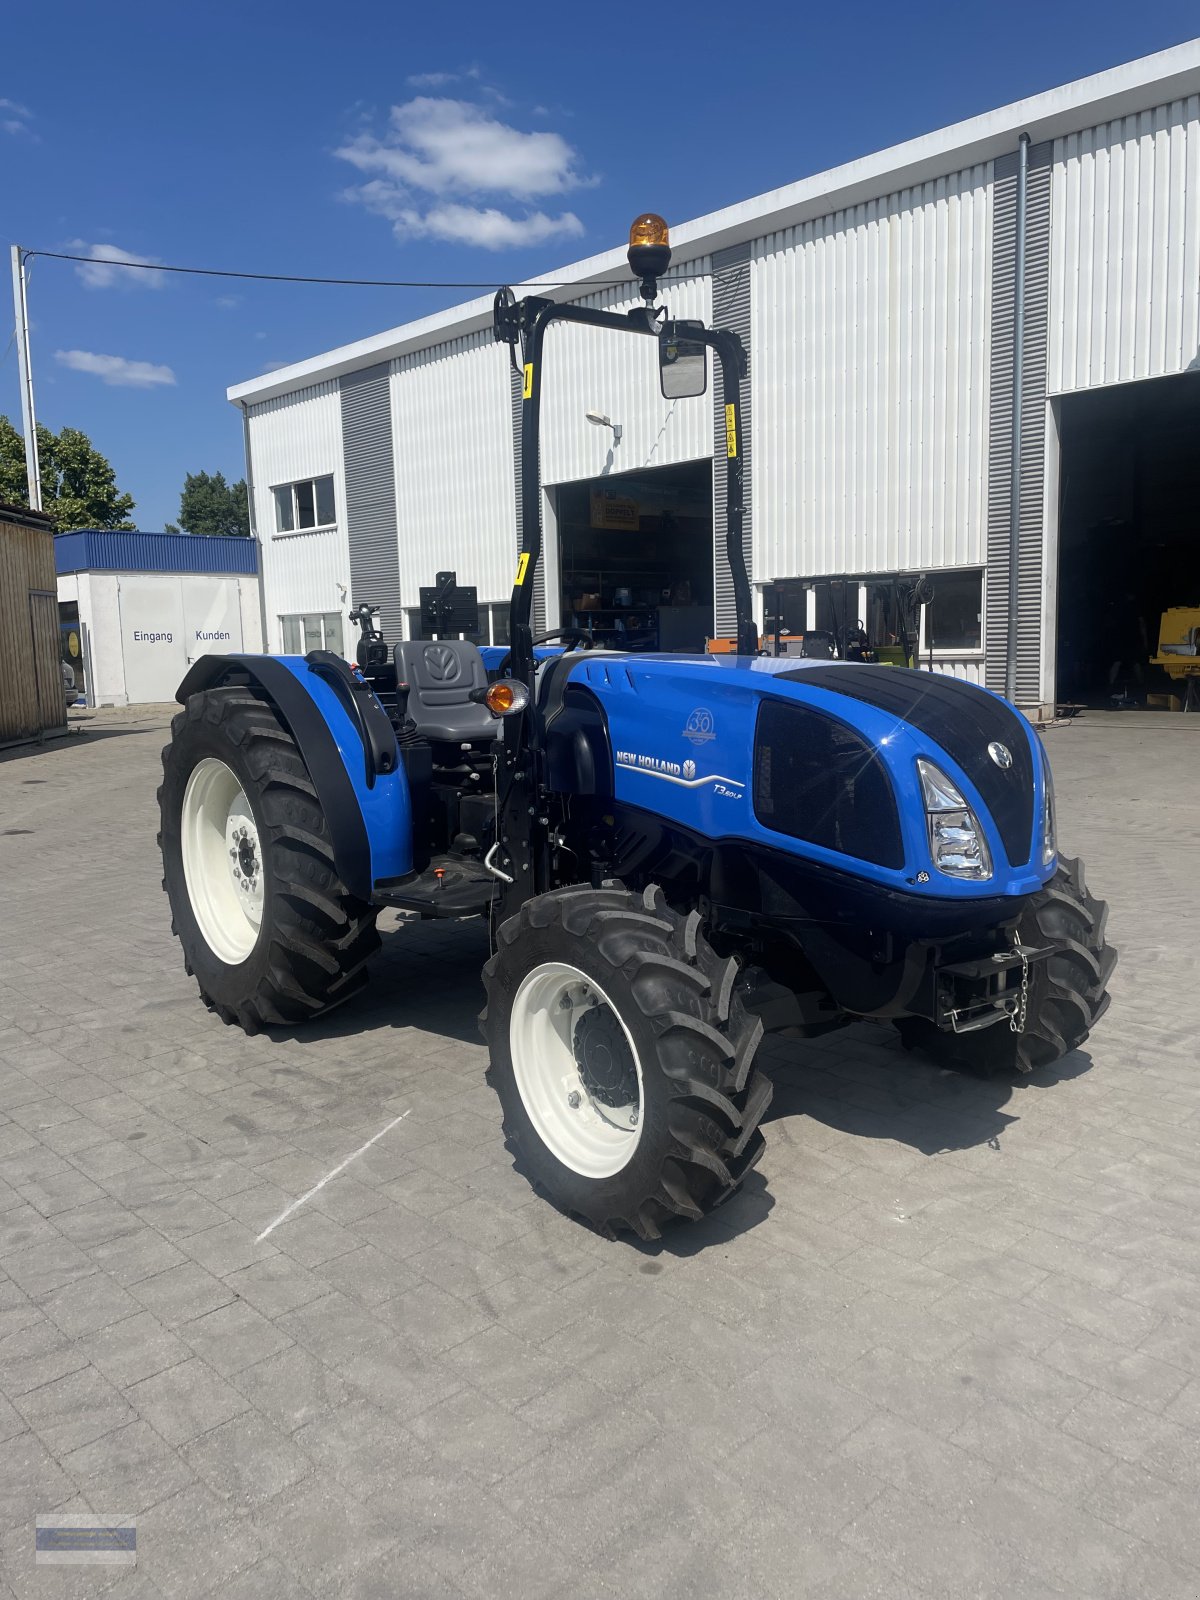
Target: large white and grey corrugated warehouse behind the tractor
(972, 358)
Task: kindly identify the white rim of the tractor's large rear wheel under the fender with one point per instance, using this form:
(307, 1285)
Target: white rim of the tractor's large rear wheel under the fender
(223, 862)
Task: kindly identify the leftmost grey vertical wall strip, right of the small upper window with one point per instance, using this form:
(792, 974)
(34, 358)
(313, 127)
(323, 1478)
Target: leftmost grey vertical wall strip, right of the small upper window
(370, 495)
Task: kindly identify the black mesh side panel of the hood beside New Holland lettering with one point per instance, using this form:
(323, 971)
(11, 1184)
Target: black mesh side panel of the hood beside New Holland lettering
(815, 778)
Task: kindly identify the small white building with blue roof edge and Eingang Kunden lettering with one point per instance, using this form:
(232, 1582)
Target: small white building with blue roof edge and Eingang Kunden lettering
(135, 610)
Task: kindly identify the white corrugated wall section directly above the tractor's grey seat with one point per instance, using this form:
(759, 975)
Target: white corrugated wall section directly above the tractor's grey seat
(452, 418)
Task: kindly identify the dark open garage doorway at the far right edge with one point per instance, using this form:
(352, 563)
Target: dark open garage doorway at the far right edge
(1129, 537)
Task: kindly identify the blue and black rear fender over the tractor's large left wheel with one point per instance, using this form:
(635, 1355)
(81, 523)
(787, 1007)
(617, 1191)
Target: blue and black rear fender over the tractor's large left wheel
(367, 810)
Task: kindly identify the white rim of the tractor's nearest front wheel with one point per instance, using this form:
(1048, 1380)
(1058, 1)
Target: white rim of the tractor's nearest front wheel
(574, 1121)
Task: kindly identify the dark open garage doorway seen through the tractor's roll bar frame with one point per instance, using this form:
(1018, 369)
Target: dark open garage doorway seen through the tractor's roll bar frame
(636, 558)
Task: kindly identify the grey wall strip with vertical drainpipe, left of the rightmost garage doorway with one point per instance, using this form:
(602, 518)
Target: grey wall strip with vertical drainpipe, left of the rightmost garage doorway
(1033, 423)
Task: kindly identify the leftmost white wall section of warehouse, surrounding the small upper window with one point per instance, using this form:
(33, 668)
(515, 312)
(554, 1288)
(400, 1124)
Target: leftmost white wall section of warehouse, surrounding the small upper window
(295, 438)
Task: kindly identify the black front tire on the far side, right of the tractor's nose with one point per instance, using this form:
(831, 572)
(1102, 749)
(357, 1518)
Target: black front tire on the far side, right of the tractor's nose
(1068, 993)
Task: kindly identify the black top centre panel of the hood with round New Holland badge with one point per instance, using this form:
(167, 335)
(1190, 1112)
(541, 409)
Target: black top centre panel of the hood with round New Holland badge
(964, 721)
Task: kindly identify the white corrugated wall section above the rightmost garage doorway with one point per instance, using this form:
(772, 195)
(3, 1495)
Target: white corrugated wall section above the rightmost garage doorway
(1126, 249)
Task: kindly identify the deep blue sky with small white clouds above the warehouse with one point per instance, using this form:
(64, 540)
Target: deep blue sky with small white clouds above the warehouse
(441, 142)
